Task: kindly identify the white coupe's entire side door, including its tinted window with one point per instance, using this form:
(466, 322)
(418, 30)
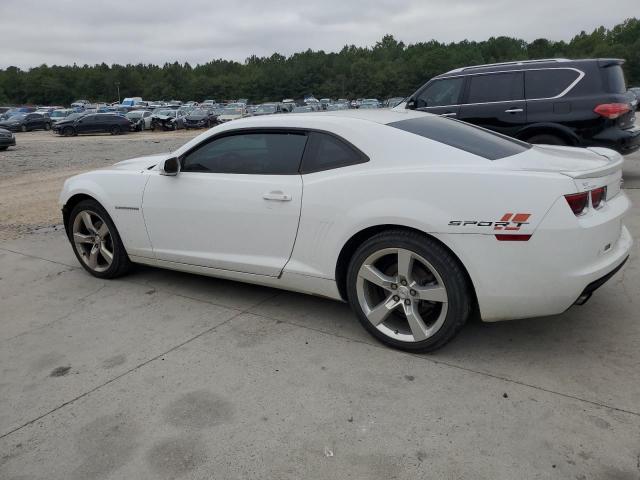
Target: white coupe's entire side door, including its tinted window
(235, 204)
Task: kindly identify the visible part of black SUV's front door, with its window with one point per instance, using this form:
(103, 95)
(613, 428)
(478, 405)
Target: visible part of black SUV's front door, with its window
(440, 96)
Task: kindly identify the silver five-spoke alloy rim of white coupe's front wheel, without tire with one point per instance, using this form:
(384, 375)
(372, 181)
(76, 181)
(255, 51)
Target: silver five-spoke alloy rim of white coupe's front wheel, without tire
(92, 240)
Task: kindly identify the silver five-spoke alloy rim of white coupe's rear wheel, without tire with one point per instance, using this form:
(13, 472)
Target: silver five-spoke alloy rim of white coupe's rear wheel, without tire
(402, 294)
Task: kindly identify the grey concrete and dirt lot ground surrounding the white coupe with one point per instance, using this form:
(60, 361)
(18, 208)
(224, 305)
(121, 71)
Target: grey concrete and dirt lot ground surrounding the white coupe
(165, 375)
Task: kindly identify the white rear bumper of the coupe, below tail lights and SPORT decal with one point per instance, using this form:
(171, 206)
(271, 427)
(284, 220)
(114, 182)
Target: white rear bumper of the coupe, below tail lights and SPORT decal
(547, 274)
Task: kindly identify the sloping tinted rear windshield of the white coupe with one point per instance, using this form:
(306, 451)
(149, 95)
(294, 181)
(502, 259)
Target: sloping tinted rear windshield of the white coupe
(463, 136)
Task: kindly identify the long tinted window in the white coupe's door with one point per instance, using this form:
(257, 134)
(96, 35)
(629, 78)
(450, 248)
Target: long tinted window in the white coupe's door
(257, 153)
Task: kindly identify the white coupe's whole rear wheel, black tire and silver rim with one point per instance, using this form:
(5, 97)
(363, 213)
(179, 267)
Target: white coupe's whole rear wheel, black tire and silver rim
(408, 291)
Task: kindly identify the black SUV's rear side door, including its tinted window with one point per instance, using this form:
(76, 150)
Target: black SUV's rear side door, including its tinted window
(495, 101)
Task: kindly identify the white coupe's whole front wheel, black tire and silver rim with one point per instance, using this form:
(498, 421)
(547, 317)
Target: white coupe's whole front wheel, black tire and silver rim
(96, 241)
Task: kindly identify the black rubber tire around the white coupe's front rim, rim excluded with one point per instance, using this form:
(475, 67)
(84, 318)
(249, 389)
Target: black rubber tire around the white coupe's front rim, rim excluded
(120, 264)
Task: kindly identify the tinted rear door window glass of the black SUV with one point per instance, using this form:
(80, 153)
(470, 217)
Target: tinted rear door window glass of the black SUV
(496, 87)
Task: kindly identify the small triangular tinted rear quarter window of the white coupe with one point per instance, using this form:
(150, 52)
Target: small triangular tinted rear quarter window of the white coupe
(325, 152)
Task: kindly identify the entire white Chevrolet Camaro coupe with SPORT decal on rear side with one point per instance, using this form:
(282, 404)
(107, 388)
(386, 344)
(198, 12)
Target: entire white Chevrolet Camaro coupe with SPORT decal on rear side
(417, 221)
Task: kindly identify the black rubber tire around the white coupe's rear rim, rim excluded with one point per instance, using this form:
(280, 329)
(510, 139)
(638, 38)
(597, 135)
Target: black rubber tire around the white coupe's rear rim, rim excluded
(459, 297)
